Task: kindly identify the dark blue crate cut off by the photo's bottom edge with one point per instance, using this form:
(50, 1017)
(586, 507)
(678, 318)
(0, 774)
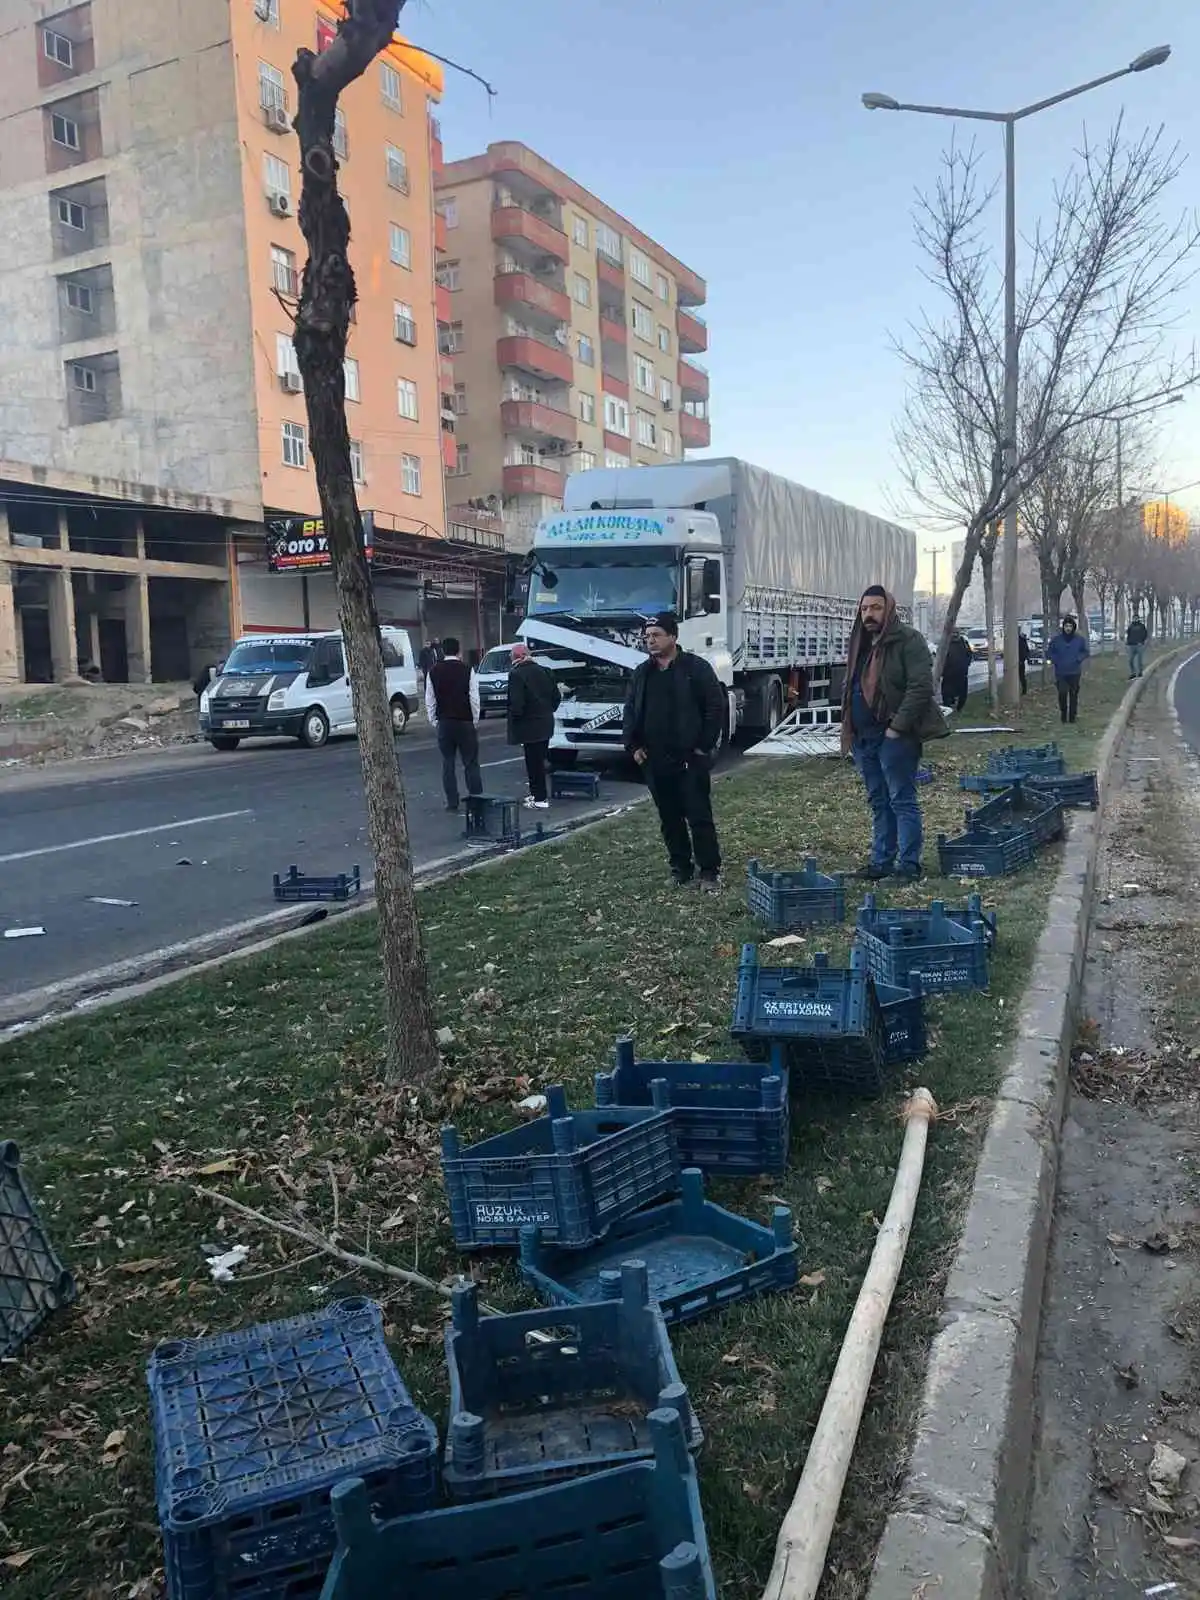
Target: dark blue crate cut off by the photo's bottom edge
(631, 1534)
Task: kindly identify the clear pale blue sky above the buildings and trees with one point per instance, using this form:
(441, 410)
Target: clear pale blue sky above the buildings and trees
(737, 138)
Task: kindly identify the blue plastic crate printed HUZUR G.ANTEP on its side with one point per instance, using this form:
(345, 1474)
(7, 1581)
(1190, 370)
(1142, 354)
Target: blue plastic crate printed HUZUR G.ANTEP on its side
(572, 1175)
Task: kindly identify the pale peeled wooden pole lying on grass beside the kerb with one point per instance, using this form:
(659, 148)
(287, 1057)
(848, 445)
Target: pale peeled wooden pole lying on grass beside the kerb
(804, 1538)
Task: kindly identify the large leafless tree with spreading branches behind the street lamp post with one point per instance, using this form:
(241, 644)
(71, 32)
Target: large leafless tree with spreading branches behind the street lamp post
(1095, 316)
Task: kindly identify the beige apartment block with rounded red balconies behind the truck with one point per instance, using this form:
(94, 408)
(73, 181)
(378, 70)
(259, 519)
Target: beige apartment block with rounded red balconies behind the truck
(574, 337)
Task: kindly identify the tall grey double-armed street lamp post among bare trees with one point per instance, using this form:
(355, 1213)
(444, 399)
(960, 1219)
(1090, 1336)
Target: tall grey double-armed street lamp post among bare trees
(1010, 119)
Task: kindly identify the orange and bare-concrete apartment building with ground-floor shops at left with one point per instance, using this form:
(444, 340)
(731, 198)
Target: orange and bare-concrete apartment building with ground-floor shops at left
(154, 462)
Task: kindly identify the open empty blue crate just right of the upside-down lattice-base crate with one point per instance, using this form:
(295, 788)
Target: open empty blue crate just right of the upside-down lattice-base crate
(529, 1410)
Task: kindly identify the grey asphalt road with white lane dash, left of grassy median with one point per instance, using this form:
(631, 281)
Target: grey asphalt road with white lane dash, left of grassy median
(119, 830)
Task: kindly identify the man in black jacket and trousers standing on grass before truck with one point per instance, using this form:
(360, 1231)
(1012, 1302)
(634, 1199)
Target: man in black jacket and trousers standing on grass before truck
(676, 718)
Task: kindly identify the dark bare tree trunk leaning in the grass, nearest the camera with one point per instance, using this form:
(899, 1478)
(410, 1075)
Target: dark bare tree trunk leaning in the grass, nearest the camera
(322, 327)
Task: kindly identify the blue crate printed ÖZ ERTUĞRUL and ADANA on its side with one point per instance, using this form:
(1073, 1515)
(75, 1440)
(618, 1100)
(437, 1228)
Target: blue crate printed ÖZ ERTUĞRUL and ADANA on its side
(828, 1022)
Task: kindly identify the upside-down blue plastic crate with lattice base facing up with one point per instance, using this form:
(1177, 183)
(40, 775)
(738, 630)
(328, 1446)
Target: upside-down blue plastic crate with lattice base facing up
(252, 1431)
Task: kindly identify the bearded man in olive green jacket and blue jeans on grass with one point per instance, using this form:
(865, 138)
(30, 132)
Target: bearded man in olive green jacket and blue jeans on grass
(889, 711)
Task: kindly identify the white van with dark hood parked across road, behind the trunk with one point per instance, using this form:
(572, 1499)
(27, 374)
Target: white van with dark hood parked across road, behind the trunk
(297, 686)
